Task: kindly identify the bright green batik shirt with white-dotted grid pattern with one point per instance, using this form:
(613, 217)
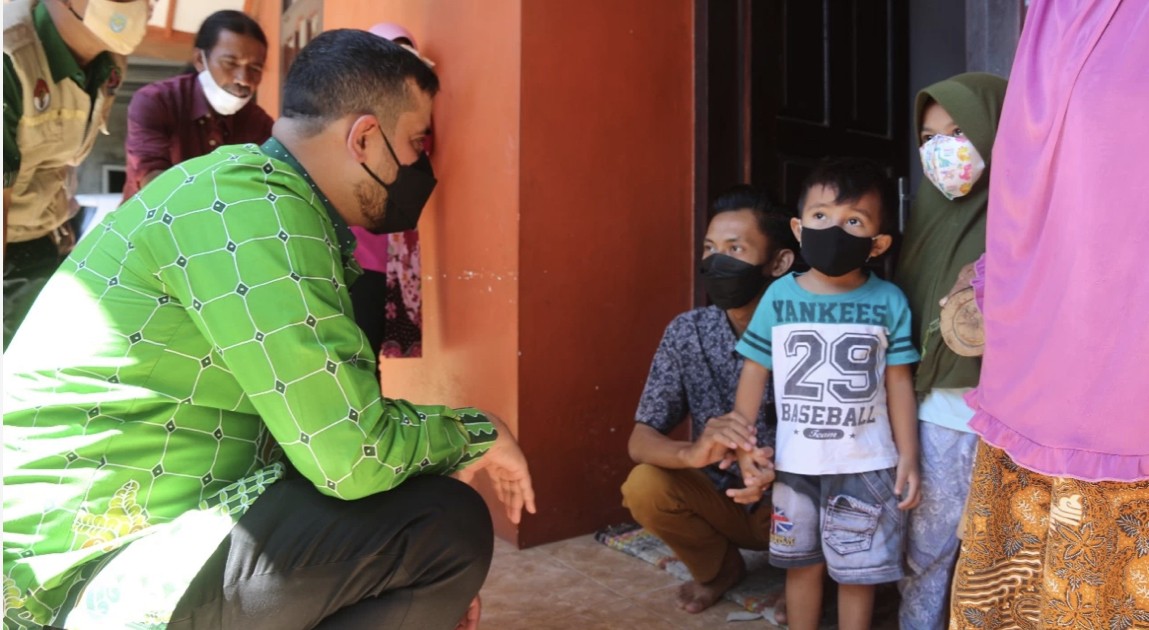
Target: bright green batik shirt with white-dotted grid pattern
(206, 313)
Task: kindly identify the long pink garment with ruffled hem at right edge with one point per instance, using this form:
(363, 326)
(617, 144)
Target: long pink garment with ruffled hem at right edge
(1066, 380)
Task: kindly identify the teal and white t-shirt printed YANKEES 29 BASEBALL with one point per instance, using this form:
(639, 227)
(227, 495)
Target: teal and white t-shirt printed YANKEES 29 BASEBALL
(830, 373)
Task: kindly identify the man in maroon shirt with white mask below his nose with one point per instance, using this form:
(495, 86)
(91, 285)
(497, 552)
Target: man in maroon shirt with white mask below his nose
(192, 114)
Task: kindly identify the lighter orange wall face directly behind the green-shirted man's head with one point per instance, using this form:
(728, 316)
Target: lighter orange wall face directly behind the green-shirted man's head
(469, 231)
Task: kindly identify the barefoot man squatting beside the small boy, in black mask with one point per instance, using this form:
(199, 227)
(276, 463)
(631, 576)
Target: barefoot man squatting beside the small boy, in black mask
(680, 491)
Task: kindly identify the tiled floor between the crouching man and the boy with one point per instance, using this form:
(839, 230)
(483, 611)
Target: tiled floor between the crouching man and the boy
(581, 585)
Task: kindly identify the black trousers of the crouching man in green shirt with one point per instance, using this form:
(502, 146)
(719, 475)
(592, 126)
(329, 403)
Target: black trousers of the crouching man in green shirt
(414, 557)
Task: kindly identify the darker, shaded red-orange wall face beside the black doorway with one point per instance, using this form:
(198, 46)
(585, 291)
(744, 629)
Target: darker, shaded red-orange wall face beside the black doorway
(606, 250)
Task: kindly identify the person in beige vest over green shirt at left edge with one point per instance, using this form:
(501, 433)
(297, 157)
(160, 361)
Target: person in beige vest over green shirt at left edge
(63, 64)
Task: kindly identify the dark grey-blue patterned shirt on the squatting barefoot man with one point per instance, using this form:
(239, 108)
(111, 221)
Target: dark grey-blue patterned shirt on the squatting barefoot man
(696, 374)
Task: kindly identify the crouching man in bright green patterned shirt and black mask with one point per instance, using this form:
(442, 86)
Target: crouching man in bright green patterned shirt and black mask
(209, 316)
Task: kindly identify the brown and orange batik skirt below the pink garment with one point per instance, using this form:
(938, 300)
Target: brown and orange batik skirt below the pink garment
(1051, 552)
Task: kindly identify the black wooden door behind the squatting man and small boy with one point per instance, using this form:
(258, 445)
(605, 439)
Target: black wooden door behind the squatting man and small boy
(789, 82)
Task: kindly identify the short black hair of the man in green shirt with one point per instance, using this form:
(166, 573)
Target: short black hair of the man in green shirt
(351, 72)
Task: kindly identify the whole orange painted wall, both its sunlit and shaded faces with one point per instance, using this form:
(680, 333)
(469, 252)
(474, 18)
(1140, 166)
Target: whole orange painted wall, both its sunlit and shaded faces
(559, 242)
